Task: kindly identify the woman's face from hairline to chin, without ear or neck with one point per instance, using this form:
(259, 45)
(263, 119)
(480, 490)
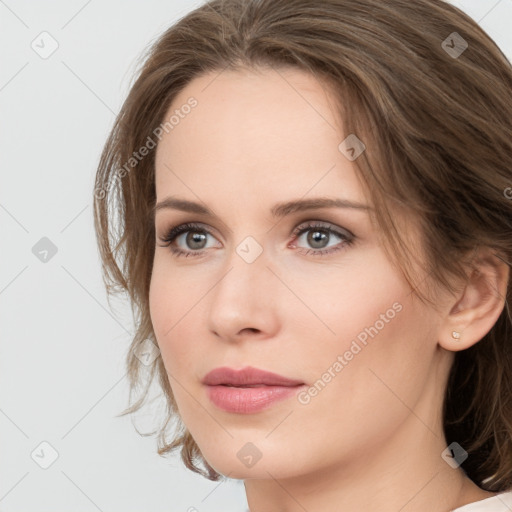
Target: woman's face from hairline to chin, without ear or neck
(324, 307)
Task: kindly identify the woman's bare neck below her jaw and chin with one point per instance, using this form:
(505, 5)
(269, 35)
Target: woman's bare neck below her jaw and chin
(405, 473)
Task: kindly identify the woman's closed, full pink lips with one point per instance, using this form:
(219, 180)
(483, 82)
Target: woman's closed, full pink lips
(229, 389)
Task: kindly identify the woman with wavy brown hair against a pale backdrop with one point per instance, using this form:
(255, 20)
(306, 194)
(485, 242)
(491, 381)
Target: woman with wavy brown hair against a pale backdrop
(314, 225)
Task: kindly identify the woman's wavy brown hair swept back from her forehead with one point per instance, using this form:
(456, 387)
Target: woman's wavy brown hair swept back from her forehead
(438, 132)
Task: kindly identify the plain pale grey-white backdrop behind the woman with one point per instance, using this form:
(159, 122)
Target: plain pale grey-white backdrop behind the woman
(62, 349)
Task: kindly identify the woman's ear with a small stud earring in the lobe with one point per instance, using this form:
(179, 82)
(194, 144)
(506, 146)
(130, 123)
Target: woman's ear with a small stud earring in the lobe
(475, 309)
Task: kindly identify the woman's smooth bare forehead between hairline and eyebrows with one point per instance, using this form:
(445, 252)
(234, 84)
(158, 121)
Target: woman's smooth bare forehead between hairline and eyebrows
(266, 131)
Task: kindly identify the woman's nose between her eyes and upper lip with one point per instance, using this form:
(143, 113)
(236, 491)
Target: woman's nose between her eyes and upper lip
(245, 302)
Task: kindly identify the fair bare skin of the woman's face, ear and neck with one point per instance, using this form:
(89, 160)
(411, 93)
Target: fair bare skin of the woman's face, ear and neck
(372, 438)
